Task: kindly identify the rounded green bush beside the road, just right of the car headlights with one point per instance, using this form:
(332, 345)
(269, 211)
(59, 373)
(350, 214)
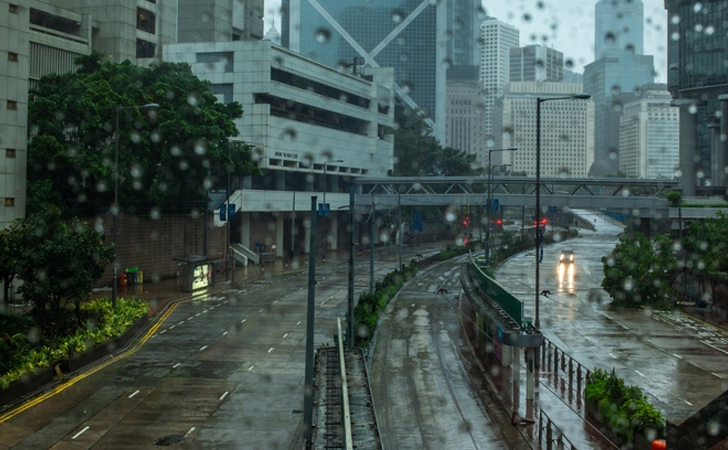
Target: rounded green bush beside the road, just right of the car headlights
(640, 272)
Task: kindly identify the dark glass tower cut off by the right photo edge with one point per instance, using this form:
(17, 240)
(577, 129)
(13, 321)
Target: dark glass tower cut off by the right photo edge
(698, 82)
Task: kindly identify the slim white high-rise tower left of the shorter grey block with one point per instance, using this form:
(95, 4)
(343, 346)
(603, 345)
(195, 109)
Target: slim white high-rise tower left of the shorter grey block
(497, 38)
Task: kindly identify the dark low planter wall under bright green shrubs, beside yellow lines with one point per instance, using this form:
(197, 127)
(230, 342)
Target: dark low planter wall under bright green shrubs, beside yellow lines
(32, 383)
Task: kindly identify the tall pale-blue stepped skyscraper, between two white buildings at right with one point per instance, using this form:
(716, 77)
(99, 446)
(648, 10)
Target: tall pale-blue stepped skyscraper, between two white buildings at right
(620, 67)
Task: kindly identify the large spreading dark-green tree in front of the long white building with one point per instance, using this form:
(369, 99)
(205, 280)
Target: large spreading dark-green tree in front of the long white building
(175, 152)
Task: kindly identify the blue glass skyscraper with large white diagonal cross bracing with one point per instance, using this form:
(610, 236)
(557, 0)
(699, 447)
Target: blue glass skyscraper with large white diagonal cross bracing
(420, 40)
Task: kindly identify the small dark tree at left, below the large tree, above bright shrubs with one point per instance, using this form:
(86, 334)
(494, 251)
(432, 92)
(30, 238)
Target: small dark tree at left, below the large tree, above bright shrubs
(58, 263)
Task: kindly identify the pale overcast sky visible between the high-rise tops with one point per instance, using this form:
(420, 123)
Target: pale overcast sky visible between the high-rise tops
(566, 25)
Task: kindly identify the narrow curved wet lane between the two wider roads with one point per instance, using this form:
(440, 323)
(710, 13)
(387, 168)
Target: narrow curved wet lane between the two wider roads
(421, 388)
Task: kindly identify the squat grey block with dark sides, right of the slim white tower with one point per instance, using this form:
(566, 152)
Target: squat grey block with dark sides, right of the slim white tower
(535, 63)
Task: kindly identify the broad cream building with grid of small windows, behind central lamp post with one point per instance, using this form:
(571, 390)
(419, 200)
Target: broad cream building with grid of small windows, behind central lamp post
(567, 132)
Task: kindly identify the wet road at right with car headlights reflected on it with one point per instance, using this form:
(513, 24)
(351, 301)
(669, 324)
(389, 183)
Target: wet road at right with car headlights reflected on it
(680, 362)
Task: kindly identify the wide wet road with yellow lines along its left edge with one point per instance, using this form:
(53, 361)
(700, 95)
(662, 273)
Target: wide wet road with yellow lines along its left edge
(221, 371)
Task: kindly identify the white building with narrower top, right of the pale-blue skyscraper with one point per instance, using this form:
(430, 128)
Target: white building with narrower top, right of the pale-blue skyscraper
(649, 137)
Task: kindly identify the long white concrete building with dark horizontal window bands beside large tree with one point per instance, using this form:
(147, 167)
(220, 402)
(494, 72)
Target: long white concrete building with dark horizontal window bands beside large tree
(314, 129)
